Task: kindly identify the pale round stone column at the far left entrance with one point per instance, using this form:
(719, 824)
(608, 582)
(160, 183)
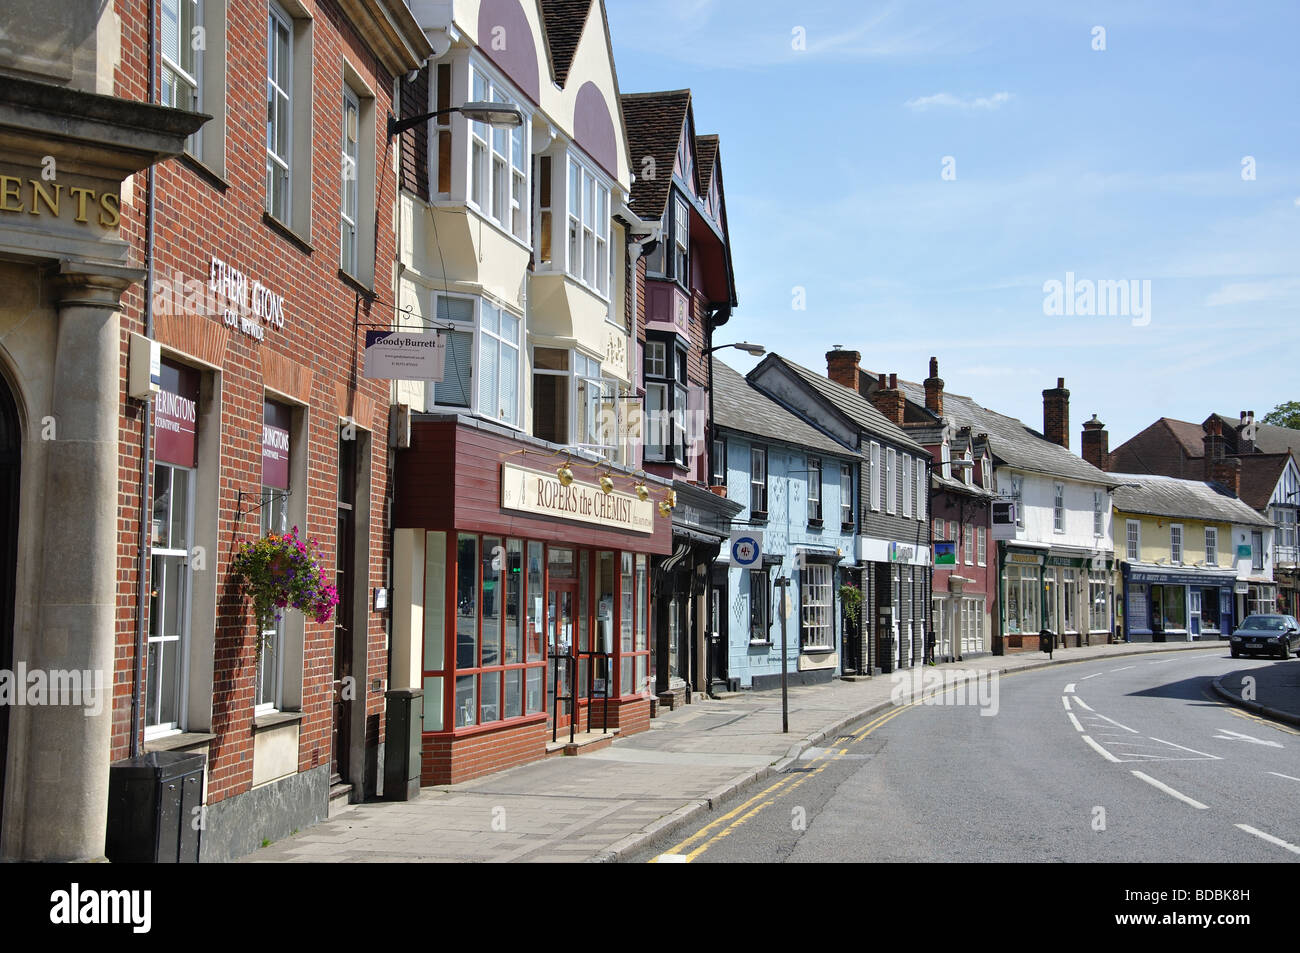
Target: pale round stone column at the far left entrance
(68, 750)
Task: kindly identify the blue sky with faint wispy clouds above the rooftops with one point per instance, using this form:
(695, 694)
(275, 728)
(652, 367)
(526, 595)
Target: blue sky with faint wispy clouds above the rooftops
(1121, 164)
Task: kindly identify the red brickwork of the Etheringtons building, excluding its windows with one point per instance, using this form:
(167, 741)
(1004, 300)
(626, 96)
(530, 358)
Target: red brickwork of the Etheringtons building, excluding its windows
(200, 219)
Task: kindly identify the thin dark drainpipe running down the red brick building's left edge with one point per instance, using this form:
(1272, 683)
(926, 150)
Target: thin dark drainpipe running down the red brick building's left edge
(146, 427)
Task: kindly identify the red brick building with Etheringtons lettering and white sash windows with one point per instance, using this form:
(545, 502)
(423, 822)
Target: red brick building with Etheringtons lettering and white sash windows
(271, 252)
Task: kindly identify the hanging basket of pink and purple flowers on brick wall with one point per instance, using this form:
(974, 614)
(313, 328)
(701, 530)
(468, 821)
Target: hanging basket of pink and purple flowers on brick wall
(280, 571)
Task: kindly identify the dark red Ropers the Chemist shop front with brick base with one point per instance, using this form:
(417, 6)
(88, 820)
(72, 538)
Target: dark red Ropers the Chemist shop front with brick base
(513, 587)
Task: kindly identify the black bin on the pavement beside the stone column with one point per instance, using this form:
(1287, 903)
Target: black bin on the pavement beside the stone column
(155, 808)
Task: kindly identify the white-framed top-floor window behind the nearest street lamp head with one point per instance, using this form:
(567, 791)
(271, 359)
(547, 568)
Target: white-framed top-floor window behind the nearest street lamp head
(499, 163)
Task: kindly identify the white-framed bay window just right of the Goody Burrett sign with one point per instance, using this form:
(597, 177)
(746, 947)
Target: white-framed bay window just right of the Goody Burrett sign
(491, 385)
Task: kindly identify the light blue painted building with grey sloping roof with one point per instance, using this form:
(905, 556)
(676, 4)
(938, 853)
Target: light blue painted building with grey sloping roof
(799, 491)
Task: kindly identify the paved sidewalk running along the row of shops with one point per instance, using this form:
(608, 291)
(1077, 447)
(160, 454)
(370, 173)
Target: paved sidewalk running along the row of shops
(606, 804)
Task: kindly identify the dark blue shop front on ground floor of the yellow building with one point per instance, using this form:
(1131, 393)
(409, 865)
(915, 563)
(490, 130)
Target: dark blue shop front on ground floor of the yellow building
(1176, 605)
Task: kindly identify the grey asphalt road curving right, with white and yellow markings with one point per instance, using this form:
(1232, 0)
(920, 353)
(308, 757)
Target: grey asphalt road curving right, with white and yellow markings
(1124, 760)
